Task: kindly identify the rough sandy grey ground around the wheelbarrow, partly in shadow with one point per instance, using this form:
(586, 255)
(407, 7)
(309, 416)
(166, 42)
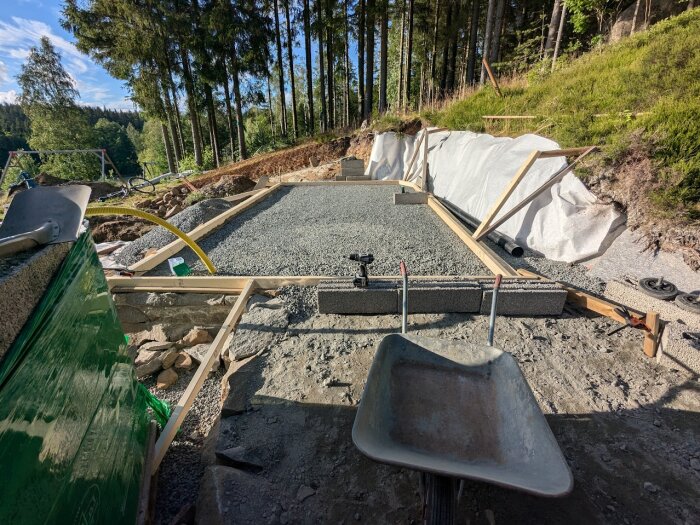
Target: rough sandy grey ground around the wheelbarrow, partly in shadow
(627, 427)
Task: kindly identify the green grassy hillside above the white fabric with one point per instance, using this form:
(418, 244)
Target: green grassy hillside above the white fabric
(656, 72)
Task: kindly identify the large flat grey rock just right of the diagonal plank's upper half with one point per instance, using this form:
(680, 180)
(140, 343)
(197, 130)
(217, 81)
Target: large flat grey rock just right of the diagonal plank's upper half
(257, 330)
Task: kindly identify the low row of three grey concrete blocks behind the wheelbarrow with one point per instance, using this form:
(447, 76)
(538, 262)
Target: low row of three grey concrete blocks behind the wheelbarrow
(449, 295)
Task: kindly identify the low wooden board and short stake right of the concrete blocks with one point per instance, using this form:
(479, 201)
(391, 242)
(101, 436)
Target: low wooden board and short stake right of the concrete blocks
(606, 307)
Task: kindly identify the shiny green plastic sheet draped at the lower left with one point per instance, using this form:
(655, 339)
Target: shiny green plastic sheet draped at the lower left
(73, 422)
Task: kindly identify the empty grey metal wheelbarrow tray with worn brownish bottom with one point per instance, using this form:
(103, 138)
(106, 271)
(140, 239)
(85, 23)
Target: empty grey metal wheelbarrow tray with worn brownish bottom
(458, 409)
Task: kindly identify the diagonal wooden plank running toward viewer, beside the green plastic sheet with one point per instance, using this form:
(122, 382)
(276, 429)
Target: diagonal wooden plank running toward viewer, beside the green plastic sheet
(180, 411)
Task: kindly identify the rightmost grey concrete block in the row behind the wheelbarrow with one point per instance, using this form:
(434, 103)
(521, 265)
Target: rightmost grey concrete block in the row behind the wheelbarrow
(525, 298)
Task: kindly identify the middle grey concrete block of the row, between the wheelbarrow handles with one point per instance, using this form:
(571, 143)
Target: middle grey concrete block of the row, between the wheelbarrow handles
(443, 296)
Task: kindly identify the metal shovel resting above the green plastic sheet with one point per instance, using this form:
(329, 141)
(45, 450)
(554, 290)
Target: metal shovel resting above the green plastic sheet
(43, 215)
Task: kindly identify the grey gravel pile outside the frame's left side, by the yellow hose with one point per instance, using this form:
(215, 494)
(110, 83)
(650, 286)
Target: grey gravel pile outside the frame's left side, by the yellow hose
(186, 220)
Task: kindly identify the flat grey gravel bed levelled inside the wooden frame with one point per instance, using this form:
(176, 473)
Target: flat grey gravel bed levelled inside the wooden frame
(310, 230)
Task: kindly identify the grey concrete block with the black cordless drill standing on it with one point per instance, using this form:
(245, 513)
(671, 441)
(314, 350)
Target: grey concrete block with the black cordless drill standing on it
(341, 297)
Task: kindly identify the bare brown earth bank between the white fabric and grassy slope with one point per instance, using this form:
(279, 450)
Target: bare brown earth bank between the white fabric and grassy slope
(627, 185)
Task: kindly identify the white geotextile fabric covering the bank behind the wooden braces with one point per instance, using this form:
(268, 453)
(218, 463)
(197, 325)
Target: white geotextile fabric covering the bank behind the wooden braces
(471, 170)
